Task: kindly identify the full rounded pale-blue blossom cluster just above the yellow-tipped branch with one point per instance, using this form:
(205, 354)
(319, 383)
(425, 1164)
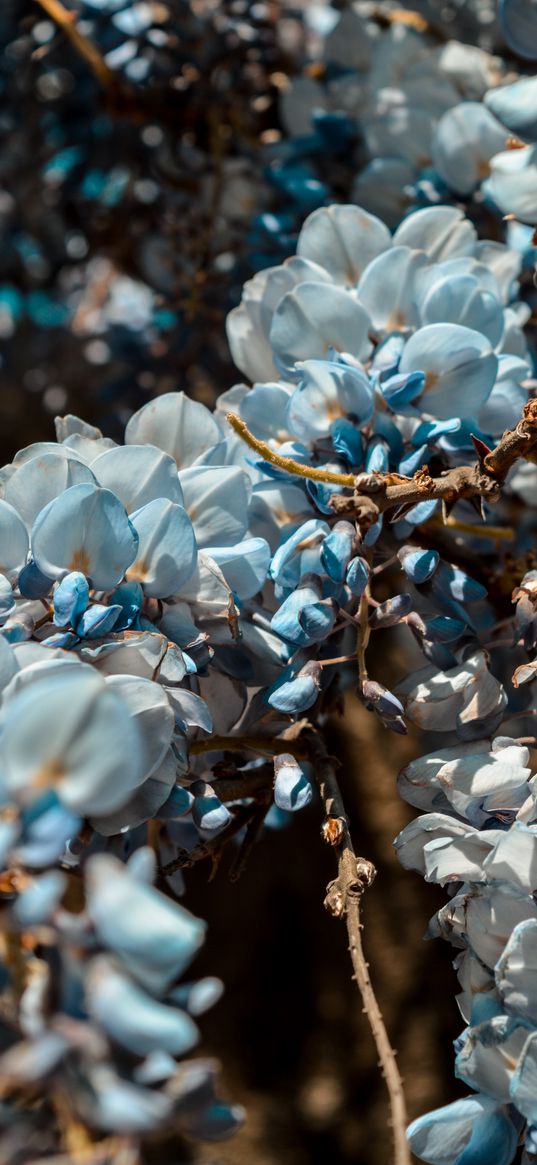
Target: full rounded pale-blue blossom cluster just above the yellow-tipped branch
(370, 329)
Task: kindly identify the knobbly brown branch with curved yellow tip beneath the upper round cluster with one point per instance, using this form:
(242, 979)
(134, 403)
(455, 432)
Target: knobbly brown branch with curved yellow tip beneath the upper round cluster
(375, 493)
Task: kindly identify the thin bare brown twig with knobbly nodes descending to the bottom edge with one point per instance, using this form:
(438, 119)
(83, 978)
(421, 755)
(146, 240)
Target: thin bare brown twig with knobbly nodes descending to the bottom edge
(344, 900)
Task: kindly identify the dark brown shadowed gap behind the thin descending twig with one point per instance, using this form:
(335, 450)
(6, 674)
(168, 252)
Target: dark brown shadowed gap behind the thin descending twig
(303, 1060)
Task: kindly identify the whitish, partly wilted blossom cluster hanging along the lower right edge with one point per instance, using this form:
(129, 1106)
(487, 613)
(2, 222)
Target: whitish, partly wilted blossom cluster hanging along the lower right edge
(479, 837)
